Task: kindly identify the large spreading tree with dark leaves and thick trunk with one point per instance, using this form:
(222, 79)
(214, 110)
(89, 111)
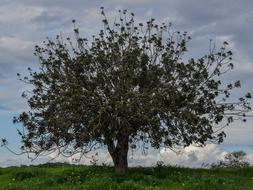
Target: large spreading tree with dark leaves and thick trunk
(129, 84)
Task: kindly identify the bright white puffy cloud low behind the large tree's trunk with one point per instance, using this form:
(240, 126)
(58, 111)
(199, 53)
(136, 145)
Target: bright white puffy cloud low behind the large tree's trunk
(189, 157)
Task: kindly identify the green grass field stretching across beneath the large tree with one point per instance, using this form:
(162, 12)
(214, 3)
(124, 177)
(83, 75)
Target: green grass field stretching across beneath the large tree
(63, 177)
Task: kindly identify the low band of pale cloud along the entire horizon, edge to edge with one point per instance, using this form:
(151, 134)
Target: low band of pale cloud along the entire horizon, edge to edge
(193, 157)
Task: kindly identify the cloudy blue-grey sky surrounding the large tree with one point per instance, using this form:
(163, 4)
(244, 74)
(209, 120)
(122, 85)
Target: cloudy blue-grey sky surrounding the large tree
(25, 23)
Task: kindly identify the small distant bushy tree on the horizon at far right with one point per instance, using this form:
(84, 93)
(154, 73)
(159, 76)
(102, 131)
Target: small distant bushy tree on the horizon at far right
(236, 159)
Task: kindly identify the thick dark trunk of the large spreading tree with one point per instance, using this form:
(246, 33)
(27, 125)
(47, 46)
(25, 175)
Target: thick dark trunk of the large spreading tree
(119, 154)
